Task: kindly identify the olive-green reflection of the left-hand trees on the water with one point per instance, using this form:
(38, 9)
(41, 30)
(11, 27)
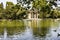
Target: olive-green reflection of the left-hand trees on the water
(16, 29)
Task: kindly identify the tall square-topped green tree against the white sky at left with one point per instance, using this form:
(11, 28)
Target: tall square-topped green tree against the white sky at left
(11, 10)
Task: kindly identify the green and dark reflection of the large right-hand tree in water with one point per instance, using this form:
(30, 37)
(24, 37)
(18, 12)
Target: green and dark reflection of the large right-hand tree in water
(42, 29)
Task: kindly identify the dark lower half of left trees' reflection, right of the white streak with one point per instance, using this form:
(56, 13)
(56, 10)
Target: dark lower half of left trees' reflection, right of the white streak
(15, 30)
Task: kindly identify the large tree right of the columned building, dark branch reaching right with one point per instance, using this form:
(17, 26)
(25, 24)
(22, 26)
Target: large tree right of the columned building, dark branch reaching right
(44, 7)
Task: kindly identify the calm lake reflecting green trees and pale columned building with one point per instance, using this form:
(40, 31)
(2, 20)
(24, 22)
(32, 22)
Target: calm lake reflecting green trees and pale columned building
(40, 29)
